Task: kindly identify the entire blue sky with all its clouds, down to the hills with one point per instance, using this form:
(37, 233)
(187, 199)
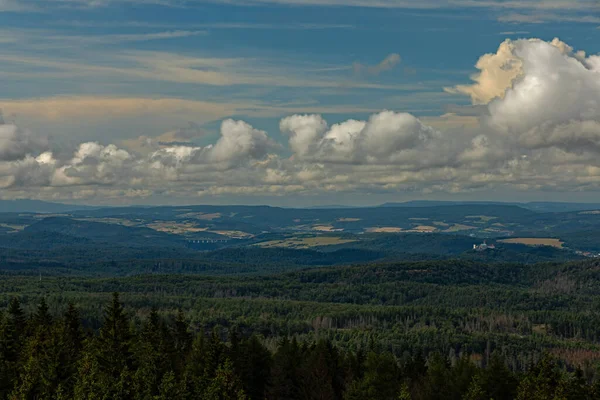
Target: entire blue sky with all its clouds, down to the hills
(299, 102)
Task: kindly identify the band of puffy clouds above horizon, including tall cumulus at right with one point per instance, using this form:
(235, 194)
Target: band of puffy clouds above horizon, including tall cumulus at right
(538, 129)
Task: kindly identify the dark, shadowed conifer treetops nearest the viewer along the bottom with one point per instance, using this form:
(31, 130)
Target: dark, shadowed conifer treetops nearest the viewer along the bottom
(52, 356)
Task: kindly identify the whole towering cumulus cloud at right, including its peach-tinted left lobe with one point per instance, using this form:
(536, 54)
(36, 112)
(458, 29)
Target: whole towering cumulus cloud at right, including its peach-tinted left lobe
(539, 95)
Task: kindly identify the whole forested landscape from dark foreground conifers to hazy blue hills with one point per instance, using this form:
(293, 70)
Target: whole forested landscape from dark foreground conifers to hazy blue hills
(361, 315)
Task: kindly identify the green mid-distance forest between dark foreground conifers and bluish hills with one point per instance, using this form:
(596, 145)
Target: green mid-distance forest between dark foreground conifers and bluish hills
(446, 306)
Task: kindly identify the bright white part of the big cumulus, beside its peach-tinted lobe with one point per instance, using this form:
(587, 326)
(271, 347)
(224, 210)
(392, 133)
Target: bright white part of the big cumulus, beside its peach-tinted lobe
(557, 87)
